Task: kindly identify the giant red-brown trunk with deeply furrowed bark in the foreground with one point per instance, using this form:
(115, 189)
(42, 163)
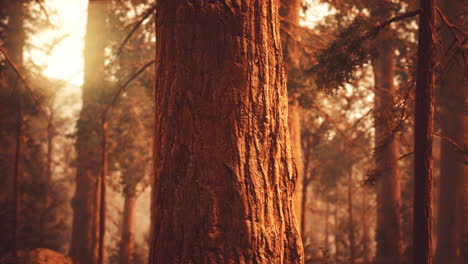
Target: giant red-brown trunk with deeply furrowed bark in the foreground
(223, 166)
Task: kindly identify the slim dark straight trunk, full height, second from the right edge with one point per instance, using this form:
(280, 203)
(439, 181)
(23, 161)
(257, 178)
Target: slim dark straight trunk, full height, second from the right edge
(423, 129)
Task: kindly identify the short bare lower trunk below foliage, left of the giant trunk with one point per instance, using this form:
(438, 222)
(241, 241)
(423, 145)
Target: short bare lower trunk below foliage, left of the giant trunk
(127, 245)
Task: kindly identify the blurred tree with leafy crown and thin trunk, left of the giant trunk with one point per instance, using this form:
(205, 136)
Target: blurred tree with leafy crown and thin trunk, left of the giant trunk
(132, 137)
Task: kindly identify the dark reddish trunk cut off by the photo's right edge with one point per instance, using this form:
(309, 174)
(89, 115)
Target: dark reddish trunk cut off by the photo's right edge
(452, 98)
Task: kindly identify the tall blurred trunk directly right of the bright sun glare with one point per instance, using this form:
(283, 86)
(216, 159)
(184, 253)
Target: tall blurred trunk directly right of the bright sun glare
(84, 244)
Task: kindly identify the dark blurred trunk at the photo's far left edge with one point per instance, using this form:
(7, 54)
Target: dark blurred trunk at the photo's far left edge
(10, 128)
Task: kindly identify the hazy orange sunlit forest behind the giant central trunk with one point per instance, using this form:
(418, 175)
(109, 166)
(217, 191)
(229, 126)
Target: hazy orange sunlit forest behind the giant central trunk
(77, 126)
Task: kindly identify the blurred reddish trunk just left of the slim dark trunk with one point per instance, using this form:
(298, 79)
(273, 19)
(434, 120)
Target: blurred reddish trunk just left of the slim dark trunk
(388, 231)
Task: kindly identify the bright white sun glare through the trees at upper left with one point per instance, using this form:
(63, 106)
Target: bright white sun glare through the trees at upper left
(60, 50)
